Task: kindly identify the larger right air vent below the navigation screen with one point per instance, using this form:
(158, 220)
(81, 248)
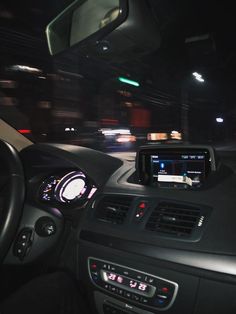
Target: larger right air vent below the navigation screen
(174, 219)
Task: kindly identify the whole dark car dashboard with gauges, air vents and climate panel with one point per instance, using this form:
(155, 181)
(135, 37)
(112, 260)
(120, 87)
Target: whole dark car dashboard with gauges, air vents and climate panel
(139, 248)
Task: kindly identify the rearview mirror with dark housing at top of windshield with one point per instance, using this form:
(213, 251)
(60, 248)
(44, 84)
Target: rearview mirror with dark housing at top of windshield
(104, 27)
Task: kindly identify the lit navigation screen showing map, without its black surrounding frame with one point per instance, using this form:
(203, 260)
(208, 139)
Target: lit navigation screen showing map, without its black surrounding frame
(179, 168)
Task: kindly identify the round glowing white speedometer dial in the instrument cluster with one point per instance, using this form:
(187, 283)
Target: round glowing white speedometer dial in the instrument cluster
(71, 187)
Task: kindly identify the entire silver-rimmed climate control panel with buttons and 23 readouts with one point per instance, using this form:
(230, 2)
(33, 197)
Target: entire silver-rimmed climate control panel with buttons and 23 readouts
(131, 284)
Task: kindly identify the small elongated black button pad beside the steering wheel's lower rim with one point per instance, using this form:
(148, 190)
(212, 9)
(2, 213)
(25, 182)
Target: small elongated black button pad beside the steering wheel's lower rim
(23, 243)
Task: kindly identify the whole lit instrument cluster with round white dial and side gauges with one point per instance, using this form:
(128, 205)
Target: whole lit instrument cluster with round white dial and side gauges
(72, 188)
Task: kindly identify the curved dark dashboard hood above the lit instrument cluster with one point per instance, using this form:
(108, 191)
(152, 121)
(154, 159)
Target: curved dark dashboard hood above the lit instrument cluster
(96, 165)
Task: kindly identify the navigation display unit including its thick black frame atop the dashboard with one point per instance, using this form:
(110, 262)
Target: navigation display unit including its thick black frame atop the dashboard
(185, 167)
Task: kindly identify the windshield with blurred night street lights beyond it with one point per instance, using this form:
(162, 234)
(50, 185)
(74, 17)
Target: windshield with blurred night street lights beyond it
(184, 92)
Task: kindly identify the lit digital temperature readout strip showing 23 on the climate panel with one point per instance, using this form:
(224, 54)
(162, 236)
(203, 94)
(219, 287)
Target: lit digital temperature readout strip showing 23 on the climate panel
(128, 283)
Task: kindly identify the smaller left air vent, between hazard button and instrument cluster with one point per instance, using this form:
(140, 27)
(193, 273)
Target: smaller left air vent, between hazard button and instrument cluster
(113, 209)
